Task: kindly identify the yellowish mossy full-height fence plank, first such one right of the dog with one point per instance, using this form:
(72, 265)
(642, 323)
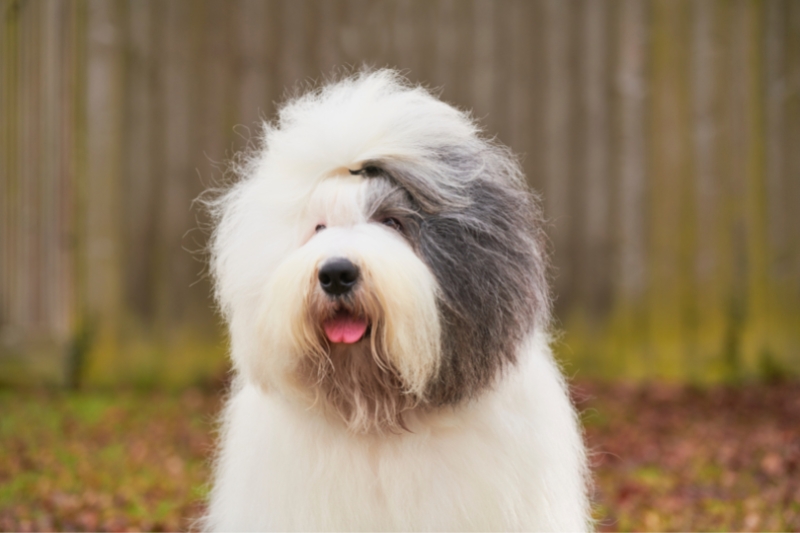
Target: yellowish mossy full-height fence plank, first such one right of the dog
(671, 234)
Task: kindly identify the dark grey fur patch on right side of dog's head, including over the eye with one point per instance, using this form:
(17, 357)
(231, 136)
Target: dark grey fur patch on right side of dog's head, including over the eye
(471, 218)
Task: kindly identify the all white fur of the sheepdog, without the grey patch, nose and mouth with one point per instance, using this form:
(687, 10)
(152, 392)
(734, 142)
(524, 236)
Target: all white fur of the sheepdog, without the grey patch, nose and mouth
(510, 458)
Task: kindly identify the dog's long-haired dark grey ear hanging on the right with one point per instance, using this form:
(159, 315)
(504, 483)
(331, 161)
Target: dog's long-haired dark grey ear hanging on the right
(488, 260)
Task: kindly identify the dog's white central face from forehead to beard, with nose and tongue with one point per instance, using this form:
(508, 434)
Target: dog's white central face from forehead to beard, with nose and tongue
(354, 308)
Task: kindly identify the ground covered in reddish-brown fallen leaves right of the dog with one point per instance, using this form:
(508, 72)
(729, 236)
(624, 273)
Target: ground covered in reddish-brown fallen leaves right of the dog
(669, 458)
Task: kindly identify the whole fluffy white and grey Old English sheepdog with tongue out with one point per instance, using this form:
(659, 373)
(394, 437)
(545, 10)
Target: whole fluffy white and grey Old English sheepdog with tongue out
(381, 267)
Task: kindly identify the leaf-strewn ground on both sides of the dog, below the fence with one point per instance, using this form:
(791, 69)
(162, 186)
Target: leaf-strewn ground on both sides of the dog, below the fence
(665, 457)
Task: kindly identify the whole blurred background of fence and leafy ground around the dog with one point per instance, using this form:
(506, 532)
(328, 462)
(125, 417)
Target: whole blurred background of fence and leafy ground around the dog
(663, 136)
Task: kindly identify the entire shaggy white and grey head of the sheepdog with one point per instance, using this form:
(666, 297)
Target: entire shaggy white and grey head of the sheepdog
(378, 255)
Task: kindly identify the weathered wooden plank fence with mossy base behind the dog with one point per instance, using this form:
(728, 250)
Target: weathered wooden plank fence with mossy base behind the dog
(663, 135)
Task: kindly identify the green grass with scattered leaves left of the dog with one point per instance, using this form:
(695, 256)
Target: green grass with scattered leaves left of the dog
(103, 461)
